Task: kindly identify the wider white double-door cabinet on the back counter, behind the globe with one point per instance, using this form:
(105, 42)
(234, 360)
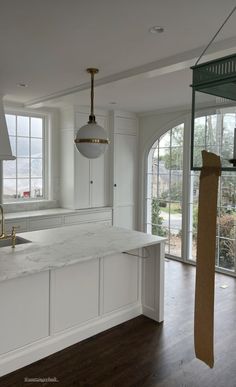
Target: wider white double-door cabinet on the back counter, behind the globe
(84, 182)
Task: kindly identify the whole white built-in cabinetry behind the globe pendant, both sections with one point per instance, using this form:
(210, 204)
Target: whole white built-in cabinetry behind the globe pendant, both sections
(110, 180)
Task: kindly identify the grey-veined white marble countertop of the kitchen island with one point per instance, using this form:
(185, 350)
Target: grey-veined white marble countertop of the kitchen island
(64, 246)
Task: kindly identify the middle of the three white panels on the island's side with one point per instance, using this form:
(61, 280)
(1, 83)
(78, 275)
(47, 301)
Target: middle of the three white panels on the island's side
(75, 292)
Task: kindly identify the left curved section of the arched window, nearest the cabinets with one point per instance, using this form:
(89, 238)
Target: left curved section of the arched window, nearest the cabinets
(165, 181)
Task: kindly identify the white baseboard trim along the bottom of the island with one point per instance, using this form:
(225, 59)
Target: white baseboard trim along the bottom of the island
(31, 353)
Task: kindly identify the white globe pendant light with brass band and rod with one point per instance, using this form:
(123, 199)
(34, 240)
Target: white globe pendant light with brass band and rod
(91, 139)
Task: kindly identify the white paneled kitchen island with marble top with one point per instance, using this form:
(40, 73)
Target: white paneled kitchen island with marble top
(70, 283)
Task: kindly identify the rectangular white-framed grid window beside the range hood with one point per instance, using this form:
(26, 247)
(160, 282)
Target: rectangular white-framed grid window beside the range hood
(23, 178)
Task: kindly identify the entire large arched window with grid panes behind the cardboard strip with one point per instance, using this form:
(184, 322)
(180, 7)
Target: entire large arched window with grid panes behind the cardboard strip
(172, 189)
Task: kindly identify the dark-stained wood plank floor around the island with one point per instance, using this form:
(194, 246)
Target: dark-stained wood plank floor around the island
(142, 353)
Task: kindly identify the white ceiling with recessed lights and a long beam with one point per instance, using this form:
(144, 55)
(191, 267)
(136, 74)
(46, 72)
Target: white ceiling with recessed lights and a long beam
(49, 45)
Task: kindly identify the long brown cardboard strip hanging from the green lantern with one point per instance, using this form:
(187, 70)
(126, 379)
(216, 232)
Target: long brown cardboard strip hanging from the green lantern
(206, 248)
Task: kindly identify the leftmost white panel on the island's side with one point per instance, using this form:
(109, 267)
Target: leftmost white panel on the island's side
(24, 306)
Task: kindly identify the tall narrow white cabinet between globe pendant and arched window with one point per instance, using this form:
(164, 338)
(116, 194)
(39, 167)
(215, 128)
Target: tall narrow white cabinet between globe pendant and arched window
(125, 169)
